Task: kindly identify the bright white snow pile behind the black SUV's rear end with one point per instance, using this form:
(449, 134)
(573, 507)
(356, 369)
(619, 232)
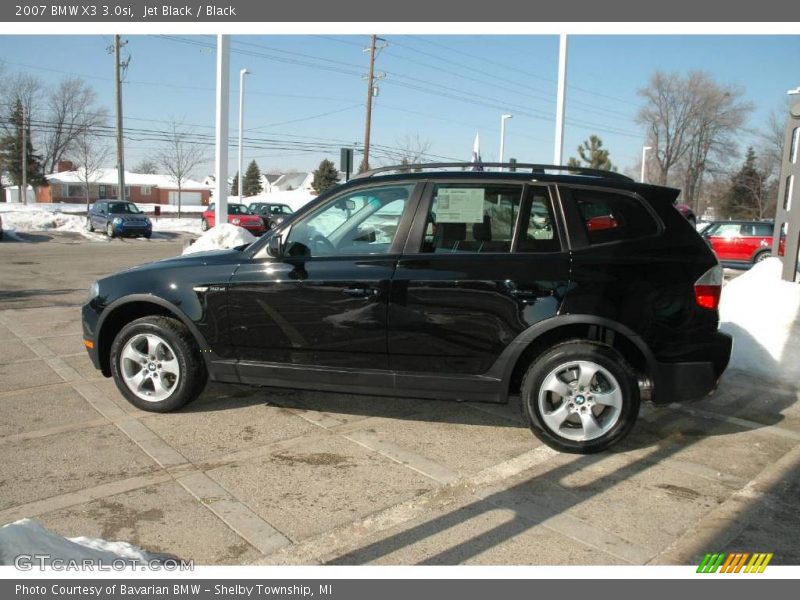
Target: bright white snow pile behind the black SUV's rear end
(762, 313)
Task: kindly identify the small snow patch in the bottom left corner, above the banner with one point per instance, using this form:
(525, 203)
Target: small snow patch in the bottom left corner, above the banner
(28, 537)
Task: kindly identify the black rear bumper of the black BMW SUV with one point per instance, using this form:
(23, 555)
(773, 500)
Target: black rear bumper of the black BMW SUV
(690, 380)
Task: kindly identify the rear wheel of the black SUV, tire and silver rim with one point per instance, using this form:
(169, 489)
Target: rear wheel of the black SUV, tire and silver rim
(565, 431)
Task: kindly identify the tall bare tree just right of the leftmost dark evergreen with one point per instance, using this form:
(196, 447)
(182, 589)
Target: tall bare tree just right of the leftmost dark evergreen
(71, 111)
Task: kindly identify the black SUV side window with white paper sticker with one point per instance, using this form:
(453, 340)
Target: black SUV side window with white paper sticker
(465, 218)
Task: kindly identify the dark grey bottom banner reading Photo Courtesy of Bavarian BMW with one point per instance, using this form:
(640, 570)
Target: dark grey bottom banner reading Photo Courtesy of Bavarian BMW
(393, 589)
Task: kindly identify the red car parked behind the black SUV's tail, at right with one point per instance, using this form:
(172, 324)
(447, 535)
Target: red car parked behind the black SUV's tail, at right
(742, 242)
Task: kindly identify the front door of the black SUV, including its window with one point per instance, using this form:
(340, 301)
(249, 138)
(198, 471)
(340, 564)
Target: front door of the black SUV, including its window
(323, 302)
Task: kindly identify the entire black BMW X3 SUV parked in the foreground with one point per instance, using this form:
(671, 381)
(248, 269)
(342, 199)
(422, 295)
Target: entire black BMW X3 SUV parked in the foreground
(580, 291)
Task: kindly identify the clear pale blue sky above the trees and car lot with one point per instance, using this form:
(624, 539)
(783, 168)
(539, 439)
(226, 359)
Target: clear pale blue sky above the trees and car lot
(309, 89)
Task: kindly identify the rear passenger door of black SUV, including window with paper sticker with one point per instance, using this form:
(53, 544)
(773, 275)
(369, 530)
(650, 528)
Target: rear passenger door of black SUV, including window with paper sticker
(482, 263)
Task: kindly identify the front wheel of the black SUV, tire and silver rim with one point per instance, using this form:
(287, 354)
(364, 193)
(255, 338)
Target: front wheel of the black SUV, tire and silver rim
(172, 374)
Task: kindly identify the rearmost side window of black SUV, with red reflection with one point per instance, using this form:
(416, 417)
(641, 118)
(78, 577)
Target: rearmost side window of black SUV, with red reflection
(610, 217)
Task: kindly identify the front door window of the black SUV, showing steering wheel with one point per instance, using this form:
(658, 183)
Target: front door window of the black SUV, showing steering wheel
(362, 222)
